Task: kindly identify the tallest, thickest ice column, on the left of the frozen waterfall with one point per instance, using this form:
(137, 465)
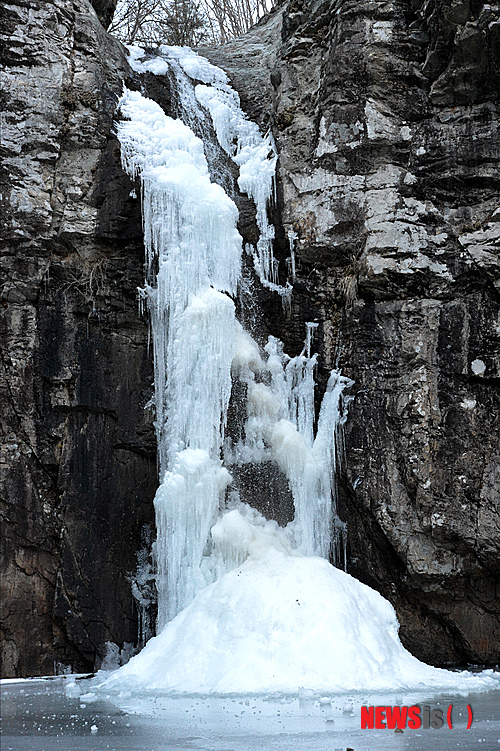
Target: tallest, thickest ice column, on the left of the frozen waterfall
(193, 253)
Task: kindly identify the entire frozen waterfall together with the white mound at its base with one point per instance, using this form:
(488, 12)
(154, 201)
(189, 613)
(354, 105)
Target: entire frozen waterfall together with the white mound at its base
(244, 606)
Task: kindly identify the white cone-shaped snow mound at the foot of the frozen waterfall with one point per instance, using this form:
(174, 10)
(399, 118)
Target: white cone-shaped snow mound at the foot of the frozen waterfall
(279, 622)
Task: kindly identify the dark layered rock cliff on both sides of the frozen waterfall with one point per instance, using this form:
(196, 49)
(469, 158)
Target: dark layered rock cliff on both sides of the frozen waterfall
(385, 117)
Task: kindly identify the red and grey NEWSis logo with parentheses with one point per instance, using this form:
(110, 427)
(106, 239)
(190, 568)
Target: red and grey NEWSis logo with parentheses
(414, 718)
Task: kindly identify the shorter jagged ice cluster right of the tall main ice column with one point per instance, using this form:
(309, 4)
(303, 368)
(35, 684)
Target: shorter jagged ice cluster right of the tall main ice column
(280, 427)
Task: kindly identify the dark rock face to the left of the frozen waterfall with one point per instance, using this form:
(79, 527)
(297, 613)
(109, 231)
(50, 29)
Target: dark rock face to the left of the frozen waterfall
(78, 448)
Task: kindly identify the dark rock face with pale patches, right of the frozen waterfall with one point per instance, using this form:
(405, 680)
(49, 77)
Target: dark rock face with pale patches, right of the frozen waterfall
(386, 122)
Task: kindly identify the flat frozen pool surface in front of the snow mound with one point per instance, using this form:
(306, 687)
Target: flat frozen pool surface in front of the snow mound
(39, 715)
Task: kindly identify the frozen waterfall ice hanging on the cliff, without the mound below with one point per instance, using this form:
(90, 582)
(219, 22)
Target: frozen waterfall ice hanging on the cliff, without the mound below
(193, 256)
